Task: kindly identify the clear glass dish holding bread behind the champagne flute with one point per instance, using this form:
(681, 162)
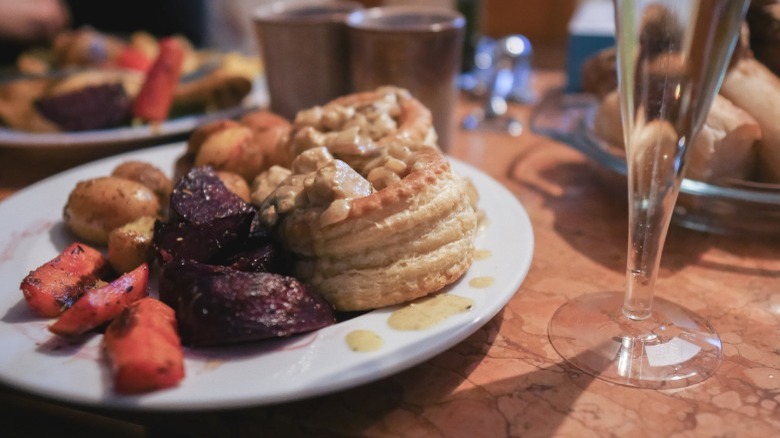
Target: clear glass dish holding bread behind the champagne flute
(741, 208)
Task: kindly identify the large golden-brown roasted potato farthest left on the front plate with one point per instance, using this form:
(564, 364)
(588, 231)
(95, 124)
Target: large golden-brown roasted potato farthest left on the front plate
(97, 206)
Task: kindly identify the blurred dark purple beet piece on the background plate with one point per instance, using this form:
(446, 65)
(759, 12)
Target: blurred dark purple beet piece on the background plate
(94, 107)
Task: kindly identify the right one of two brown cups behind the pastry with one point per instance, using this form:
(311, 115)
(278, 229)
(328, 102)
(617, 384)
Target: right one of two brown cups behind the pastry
(414, 47)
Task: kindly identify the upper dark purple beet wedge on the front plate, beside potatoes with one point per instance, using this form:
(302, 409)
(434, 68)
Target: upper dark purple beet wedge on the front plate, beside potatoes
(207, 222)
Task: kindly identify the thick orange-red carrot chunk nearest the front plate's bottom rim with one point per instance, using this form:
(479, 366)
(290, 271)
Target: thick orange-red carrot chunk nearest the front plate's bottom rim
(144, 349)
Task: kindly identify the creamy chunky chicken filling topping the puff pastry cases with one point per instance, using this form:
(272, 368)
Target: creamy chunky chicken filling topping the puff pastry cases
(342, 153)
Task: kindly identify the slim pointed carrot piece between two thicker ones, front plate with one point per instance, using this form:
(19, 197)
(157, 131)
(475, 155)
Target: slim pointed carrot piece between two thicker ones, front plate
(102, 304)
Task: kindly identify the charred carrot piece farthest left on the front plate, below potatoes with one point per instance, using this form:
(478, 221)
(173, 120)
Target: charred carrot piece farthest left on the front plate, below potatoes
(55, 285)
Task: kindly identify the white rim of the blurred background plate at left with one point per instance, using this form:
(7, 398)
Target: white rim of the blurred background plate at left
(118, 139)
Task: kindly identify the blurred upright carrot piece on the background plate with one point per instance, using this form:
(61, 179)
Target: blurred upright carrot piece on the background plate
(156, 95)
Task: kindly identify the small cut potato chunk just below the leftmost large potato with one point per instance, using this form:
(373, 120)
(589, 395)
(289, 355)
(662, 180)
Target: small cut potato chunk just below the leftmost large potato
(130, 245)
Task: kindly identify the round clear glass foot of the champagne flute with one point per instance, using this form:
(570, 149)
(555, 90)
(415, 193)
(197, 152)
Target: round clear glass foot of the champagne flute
(674, 348)
